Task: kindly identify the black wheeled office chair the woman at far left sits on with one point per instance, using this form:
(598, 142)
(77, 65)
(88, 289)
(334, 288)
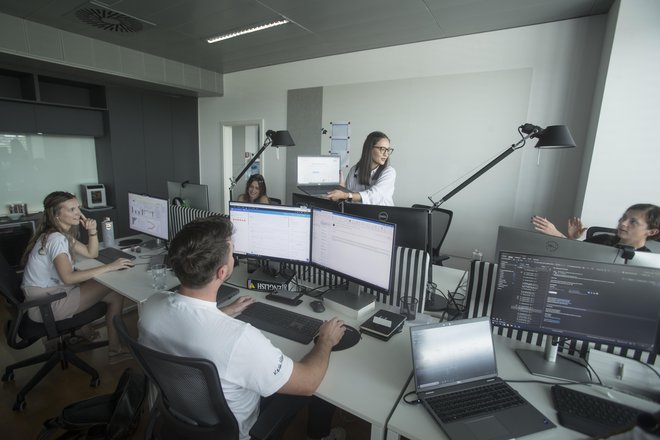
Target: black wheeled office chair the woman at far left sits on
(21, 332)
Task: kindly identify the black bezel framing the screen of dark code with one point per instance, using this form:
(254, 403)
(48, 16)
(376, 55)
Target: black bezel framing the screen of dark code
(597, 339)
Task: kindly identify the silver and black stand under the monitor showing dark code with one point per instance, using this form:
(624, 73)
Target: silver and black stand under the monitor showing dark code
(548, 364)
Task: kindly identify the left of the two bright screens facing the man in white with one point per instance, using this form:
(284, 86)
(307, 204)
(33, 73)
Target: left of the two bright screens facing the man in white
(273, 232)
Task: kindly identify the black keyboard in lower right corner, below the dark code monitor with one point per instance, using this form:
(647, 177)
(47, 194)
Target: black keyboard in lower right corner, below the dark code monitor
(591, 415)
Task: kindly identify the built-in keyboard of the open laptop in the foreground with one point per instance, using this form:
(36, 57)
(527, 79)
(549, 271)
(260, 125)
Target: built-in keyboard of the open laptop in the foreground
(474, 401)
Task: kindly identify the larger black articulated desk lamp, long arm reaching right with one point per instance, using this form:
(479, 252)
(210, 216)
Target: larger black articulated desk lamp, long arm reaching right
(551, 137)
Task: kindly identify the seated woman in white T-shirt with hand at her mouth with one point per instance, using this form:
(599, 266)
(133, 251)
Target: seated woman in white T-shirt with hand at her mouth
(49, 267)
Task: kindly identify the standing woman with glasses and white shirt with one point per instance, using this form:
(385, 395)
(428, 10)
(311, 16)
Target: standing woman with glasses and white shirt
(371, 180)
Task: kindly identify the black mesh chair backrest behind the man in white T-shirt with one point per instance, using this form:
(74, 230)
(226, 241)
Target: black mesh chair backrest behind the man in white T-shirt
(189, 388)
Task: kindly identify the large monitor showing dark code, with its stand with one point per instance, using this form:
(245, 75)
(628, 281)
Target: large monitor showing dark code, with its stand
(592, 301)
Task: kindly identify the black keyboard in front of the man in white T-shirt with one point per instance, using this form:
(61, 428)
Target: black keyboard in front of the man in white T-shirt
(290, 325)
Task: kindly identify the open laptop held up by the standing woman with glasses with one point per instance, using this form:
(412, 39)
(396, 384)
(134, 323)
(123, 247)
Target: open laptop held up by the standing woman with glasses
(317, 175)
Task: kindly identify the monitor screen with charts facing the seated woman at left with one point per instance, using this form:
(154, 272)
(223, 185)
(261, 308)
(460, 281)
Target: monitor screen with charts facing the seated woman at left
(148, 215)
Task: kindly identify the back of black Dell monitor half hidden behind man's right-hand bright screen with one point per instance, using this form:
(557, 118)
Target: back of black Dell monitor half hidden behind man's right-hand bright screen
(411, 223)
